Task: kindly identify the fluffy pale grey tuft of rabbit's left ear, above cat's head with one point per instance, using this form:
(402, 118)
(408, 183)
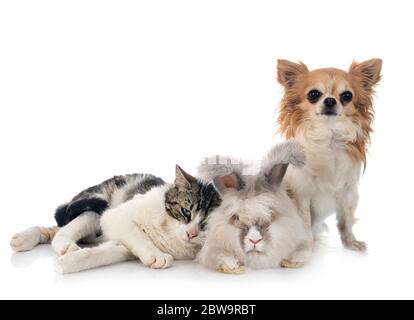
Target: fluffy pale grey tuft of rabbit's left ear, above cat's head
(216, 166)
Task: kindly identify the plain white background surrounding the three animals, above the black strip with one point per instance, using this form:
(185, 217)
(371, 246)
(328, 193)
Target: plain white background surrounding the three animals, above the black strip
(89, 89)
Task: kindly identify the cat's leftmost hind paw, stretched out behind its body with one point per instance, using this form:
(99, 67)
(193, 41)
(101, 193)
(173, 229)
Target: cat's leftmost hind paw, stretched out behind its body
(30, 238)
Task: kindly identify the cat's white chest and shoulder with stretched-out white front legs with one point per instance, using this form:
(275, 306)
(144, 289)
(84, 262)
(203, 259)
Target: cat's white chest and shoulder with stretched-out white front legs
(138, 228)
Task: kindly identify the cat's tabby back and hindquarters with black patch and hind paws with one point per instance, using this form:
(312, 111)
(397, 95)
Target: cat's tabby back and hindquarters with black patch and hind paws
(80, 217)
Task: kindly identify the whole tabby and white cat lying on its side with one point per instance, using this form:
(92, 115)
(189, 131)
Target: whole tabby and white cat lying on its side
(130, 216)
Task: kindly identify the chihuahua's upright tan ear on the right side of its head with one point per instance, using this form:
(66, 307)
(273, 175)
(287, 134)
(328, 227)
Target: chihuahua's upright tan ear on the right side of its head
(368, 72)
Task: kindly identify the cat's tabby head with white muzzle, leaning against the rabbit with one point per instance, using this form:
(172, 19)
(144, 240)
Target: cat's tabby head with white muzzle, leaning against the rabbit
(189, 201)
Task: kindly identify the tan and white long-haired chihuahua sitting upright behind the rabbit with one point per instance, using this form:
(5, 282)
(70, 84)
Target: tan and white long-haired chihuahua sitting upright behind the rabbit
(329, 111)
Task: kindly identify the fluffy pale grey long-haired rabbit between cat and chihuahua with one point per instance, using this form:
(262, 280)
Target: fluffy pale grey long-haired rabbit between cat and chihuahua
(258, 225)
